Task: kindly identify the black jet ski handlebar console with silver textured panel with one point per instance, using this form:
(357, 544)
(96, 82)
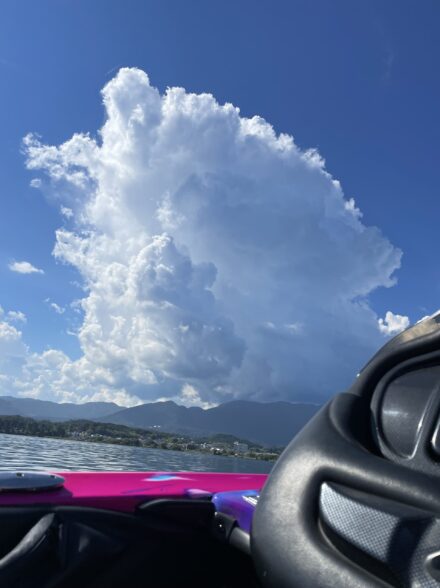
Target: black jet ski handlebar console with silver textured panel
(354, 500)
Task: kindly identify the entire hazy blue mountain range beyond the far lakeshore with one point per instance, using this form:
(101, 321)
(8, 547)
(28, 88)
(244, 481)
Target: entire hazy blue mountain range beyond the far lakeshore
(272, 423)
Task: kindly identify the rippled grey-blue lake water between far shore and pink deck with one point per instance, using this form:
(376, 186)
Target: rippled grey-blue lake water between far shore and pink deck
(38, 453)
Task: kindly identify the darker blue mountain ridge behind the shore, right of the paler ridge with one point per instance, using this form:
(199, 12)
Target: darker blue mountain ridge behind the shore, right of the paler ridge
(271, 423)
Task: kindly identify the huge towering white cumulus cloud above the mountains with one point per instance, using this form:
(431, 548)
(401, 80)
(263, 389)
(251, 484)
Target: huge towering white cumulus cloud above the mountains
(215, 256)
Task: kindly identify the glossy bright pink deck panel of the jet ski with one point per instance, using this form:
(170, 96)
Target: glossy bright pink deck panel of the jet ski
(123, 491)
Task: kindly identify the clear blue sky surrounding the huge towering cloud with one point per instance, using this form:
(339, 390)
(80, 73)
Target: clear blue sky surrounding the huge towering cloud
(358, 81)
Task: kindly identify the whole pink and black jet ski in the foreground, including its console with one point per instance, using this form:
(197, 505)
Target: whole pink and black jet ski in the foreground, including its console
(353, 501)
